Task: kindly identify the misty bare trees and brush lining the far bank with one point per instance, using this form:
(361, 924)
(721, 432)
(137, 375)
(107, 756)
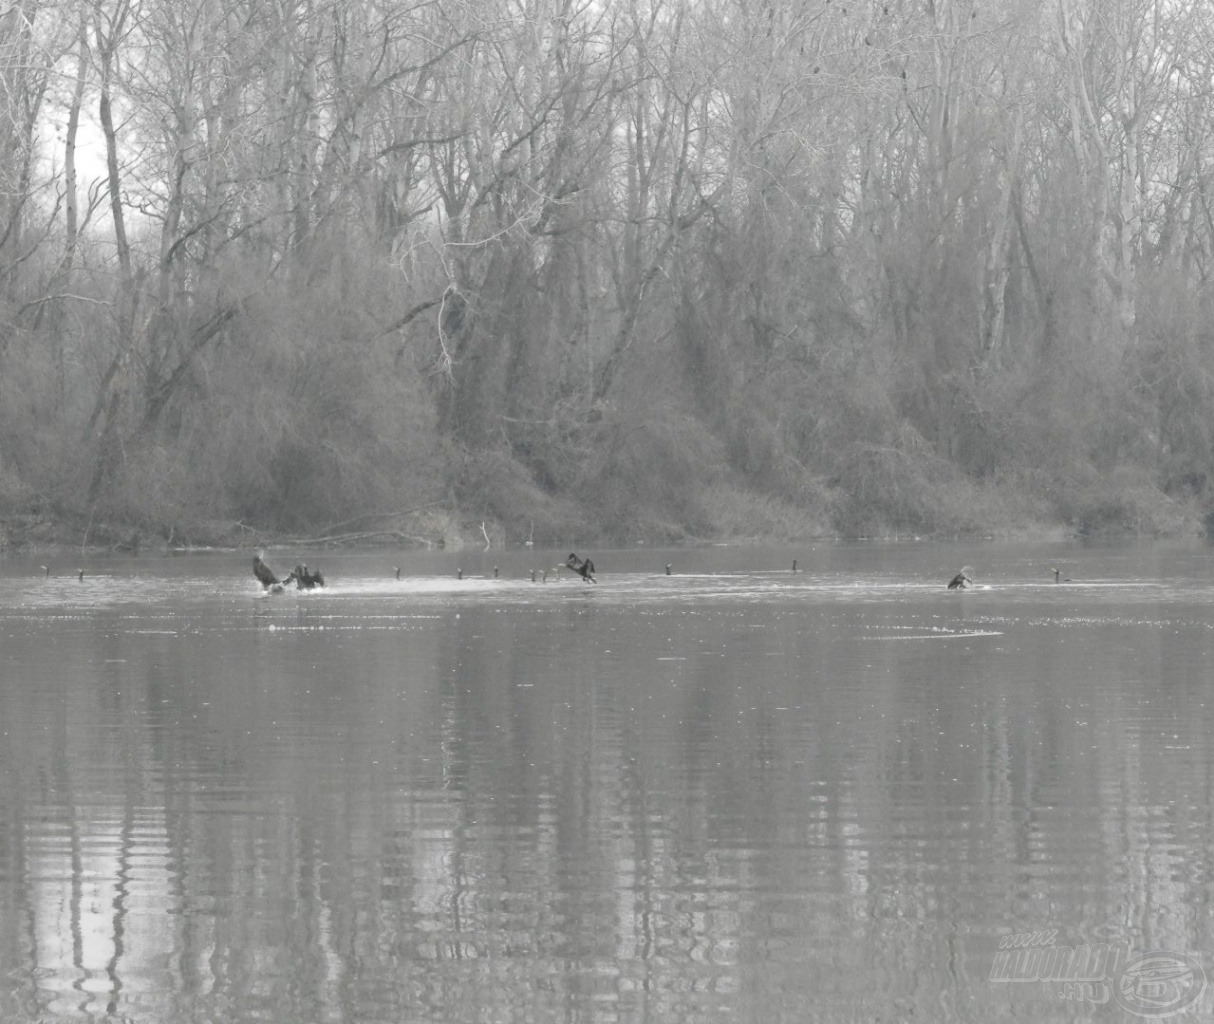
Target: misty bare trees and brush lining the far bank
(631, 268)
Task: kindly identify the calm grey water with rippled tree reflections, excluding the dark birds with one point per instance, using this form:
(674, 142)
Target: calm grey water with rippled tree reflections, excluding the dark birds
(733, 793)
